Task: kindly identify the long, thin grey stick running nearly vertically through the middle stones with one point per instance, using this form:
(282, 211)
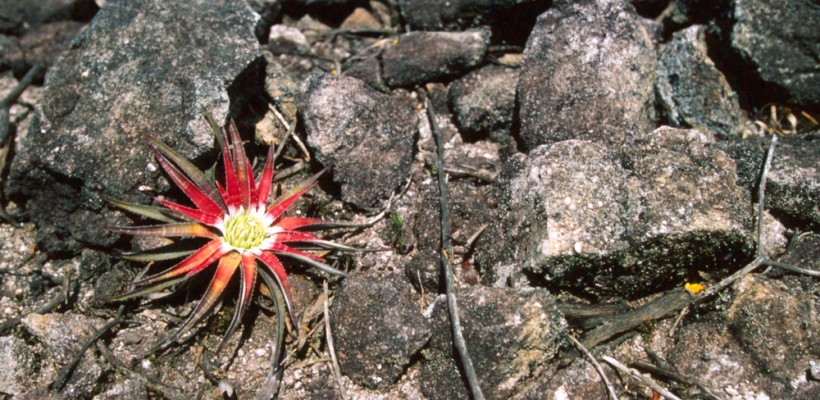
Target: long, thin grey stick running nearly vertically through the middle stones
(449, 284)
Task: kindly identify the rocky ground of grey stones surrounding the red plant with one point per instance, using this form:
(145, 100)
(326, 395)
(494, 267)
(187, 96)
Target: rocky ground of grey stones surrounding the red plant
(603, 160)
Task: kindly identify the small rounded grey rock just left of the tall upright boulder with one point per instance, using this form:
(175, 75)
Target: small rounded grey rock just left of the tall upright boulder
(483, 102)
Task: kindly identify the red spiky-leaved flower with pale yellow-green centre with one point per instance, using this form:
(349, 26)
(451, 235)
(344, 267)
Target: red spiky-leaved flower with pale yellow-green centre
(243, 231)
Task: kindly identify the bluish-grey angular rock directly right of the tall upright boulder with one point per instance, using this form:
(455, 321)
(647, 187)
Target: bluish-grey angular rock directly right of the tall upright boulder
(694, 93)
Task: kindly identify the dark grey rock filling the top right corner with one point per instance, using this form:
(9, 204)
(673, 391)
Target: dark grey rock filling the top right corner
(781, 42)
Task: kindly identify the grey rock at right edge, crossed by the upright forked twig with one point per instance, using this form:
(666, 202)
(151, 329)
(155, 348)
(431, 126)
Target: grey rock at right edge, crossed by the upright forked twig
(792, 194)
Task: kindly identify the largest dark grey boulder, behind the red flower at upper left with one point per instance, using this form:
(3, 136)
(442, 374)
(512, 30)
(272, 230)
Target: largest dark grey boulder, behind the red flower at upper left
(121, 80)
